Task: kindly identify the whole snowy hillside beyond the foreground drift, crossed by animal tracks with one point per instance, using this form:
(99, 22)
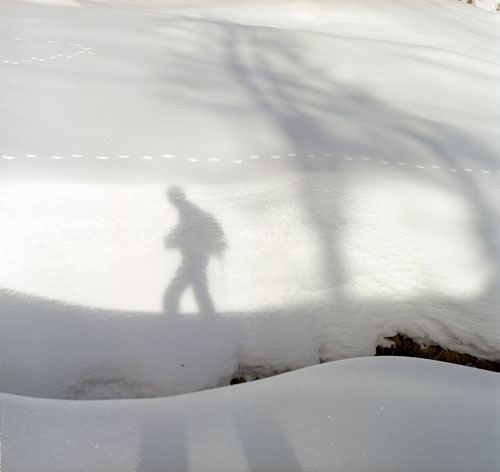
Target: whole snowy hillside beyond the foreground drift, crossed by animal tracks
(347, 153)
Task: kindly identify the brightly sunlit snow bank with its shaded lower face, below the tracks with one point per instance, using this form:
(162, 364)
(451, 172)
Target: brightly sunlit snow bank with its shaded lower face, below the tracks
(330, 289)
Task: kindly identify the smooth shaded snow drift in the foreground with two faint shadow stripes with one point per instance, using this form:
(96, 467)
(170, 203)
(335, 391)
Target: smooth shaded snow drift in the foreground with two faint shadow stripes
(371, 414)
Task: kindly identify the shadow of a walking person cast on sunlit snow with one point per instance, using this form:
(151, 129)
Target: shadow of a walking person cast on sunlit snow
(198, 236)
